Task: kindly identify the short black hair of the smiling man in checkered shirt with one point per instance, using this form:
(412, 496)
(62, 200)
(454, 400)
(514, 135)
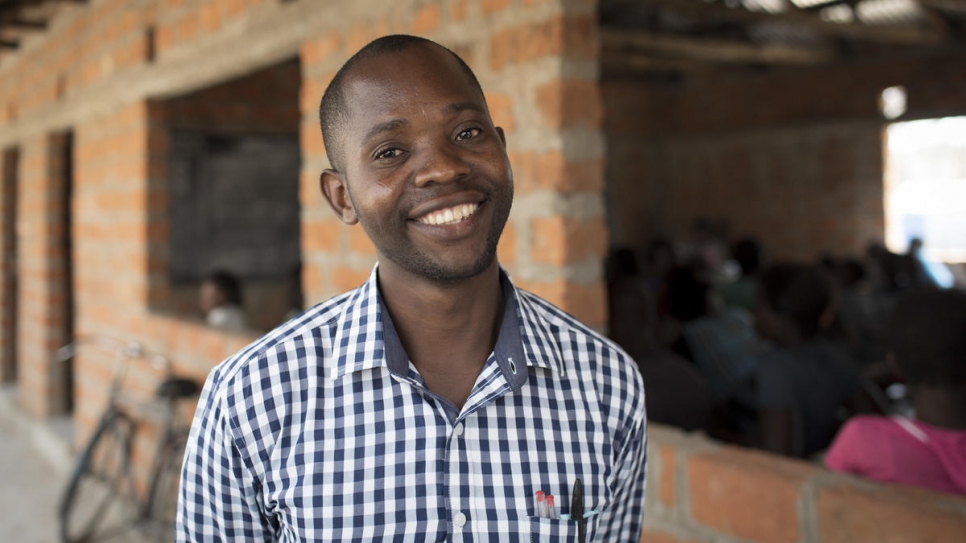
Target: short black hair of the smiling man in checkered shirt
(332, 108)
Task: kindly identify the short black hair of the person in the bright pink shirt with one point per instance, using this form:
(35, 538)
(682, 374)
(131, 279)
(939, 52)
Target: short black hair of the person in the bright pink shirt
(927, 336)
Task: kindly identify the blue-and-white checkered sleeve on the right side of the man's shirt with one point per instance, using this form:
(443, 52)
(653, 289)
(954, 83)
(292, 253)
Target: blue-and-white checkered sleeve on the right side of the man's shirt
(623, 520)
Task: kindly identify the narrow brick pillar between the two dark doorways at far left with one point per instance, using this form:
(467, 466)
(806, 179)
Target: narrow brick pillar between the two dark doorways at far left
(42, 264)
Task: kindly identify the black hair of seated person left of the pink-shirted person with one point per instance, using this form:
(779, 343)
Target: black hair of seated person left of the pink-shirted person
(801, 293)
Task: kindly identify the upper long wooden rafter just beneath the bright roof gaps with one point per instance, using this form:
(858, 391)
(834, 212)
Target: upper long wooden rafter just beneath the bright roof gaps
(701, 10)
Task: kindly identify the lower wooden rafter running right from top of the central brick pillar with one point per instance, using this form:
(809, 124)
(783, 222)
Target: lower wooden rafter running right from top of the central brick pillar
(710, 50)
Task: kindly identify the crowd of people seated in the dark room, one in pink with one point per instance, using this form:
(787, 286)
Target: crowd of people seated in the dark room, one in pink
(860, 364)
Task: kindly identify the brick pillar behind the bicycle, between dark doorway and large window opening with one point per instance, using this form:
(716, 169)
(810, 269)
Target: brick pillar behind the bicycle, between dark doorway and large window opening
(119, 207)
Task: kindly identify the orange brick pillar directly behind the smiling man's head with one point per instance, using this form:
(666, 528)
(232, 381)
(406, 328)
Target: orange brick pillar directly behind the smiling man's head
(538, 63)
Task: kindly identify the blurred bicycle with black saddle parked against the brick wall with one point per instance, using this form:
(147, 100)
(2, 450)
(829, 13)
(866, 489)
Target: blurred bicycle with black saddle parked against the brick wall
(101, 502)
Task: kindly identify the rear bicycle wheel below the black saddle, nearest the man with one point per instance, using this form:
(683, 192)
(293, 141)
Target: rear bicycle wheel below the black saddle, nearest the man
(162, 505)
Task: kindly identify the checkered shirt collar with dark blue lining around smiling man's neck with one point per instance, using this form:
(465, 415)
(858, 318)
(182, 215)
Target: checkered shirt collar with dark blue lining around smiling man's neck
(367, 339)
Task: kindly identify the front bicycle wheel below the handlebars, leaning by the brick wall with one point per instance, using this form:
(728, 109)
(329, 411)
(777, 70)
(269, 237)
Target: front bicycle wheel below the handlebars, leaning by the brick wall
(96, 506)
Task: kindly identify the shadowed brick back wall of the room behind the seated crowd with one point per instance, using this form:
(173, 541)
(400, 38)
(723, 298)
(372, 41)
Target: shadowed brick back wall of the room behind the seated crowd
(794, 156)
